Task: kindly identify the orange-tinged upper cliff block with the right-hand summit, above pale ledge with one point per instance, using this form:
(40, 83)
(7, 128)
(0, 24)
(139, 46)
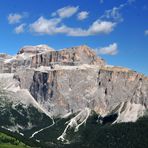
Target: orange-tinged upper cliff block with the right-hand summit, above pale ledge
(70, 56)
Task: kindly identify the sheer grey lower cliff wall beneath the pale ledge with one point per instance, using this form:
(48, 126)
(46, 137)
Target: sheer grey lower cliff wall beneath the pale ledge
(104, 90)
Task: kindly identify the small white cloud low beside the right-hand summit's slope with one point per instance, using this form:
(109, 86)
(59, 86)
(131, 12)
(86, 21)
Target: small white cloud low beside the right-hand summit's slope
(112, 49)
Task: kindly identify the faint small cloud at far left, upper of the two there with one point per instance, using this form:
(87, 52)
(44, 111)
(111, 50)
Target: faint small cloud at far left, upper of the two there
(14, 18)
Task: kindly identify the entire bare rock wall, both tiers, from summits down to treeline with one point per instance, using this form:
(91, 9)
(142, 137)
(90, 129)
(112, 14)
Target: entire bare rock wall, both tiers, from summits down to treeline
(70, 80)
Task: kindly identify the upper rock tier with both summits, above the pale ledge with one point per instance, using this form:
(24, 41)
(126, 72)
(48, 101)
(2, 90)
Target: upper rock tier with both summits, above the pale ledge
(42, 55)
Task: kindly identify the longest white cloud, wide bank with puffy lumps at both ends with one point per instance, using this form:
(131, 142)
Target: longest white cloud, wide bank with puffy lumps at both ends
(54, 26)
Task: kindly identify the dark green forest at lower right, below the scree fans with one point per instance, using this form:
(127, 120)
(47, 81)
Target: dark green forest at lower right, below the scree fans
(122, 135)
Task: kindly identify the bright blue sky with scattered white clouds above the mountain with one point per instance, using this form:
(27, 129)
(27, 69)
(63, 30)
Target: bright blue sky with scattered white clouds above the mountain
(116, 29)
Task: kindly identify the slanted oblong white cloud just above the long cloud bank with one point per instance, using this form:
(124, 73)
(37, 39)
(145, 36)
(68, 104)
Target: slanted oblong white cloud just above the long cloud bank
(66, 12)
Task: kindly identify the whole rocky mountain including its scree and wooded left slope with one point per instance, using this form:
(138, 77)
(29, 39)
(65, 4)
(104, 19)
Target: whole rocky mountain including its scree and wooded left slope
(42, 89)
